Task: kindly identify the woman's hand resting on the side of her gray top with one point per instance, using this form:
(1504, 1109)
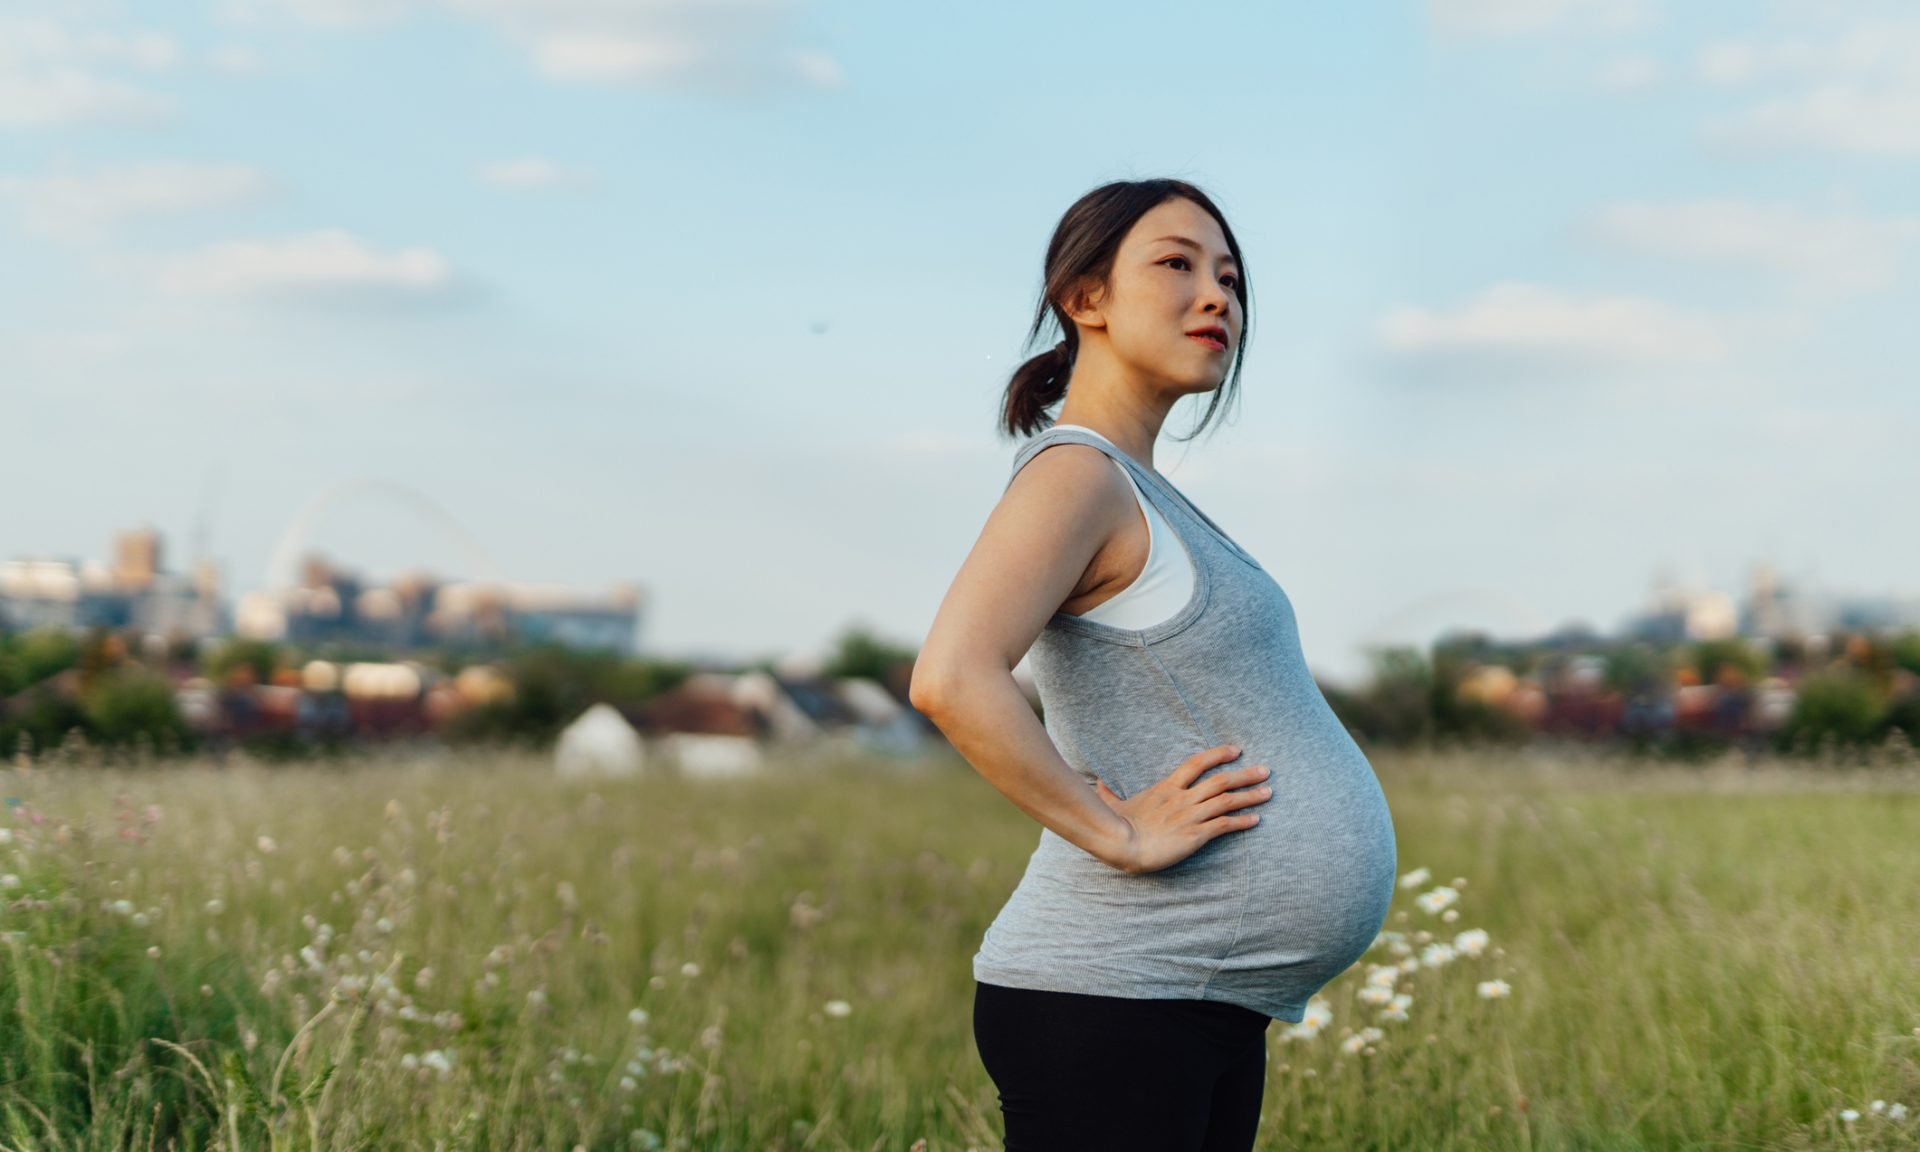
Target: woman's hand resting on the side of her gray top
(1172, 819)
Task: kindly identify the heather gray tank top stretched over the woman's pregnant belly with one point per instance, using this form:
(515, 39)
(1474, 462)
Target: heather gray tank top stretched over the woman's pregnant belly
(1260, 917)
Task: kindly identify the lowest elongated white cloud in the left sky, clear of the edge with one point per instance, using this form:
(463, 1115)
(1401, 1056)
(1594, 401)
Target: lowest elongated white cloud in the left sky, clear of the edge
(329, 264)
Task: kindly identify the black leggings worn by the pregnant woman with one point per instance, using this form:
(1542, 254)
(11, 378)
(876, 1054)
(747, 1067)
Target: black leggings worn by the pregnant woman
(1111, 1074)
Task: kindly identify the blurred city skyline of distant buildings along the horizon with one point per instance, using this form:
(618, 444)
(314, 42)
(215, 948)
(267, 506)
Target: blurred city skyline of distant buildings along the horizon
(418, 608)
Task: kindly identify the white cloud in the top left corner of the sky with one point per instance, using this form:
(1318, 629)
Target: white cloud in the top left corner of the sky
(57, 76)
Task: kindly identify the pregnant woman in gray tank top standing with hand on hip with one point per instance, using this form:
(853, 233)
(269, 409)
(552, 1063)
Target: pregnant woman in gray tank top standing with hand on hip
(1214, 846)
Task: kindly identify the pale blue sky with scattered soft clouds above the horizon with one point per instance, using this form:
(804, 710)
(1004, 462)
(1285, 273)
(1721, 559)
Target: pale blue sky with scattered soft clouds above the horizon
(1552, 297)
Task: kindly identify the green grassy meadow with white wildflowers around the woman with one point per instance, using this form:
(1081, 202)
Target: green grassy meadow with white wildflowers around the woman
(464, 953)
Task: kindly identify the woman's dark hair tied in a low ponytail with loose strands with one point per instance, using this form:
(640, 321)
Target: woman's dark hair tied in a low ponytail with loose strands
(1082, 252)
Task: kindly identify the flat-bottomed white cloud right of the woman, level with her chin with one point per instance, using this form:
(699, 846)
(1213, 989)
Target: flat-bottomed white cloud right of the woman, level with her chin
(1539, 322)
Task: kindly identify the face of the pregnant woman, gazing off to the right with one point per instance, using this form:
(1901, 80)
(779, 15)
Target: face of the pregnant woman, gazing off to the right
(1170, 308)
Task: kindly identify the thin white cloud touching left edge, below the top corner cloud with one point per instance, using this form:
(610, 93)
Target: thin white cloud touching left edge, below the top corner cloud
(78, 204)
